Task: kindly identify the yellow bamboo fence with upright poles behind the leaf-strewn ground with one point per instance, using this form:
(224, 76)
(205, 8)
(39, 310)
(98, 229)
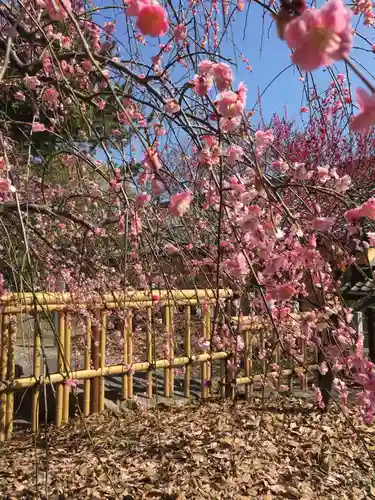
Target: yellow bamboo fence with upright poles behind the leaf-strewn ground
(95, 368)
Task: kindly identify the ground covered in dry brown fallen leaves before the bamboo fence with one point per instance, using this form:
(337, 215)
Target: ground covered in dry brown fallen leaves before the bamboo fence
(212, 450)
